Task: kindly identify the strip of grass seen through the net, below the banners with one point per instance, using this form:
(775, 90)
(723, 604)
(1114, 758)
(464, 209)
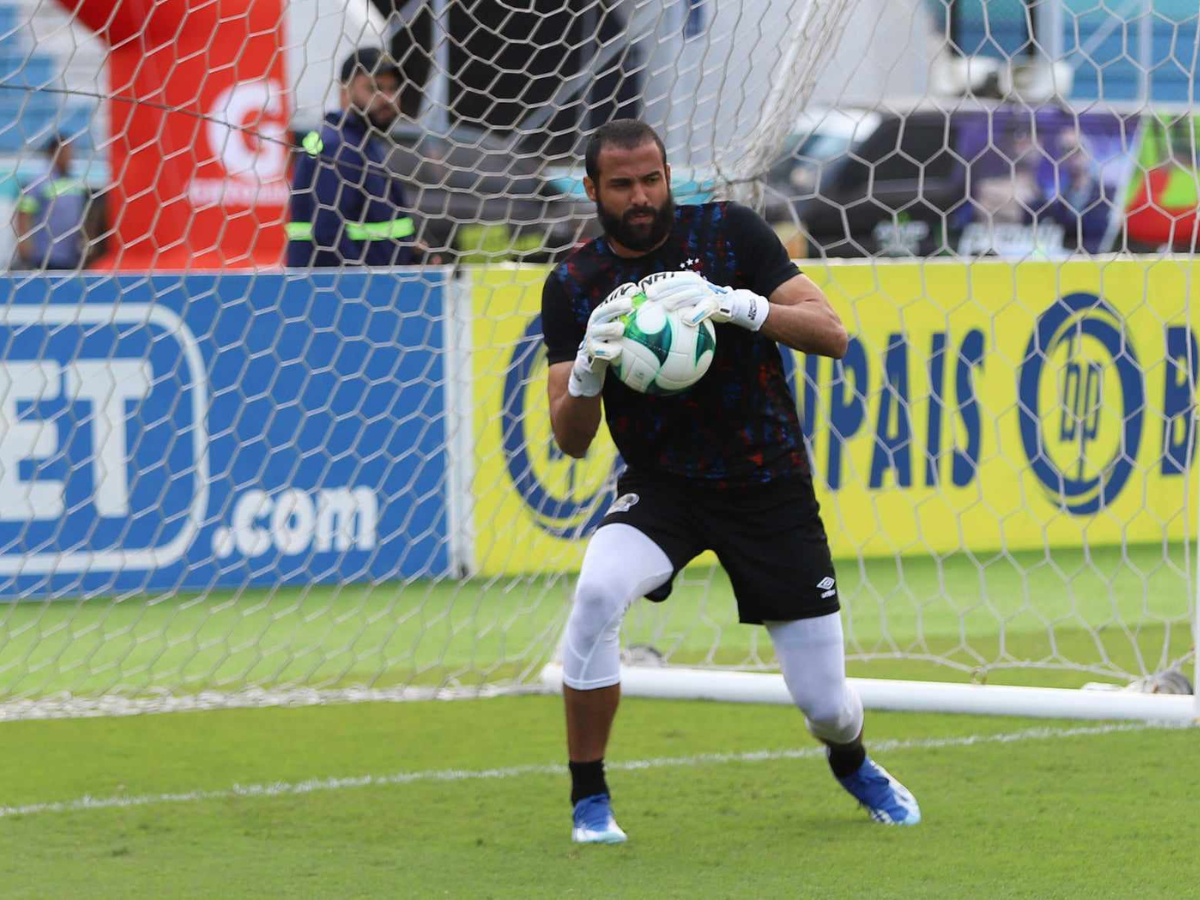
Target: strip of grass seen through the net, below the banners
(1115, 611)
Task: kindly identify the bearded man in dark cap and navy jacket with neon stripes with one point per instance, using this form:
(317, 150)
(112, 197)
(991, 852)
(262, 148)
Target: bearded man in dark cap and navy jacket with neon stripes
(347, 208)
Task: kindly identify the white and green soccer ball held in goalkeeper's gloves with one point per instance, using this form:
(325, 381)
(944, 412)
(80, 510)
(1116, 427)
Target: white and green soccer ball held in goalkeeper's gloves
(661, 353)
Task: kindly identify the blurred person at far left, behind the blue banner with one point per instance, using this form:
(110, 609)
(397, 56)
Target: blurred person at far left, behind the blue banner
(52, 215)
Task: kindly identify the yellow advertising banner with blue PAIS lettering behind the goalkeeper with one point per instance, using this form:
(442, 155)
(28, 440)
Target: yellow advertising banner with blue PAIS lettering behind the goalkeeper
(986, 406)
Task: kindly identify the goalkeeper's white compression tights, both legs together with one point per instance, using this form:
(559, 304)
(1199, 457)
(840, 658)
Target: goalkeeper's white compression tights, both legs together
(623, 565)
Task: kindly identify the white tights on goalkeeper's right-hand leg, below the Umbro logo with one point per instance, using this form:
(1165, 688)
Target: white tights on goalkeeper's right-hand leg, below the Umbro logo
(813, 657)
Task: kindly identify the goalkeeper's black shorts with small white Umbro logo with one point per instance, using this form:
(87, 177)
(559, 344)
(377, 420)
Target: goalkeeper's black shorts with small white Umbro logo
(769, 538)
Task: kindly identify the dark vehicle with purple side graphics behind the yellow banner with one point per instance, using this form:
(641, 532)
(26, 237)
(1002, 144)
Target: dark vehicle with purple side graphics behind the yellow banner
(969, 182)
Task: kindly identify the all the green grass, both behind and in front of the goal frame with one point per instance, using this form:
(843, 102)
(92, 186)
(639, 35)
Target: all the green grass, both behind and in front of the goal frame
(469, 799)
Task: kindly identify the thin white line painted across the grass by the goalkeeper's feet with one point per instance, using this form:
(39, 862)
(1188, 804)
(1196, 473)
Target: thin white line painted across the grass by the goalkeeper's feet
(293, 789)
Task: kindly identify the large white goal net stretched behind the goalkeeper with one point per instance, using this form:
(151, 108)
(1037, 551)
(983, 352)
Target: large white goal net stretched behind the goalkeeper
(227, 482)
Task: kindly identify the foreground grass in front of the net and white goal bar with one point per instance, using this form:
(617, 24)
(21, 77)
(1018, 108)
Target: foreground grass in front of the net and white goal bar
(1095, 815)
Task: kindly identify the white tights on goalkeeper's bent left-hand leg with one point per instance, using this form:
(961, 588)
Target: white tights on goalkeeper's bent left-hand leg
(621, 566)
